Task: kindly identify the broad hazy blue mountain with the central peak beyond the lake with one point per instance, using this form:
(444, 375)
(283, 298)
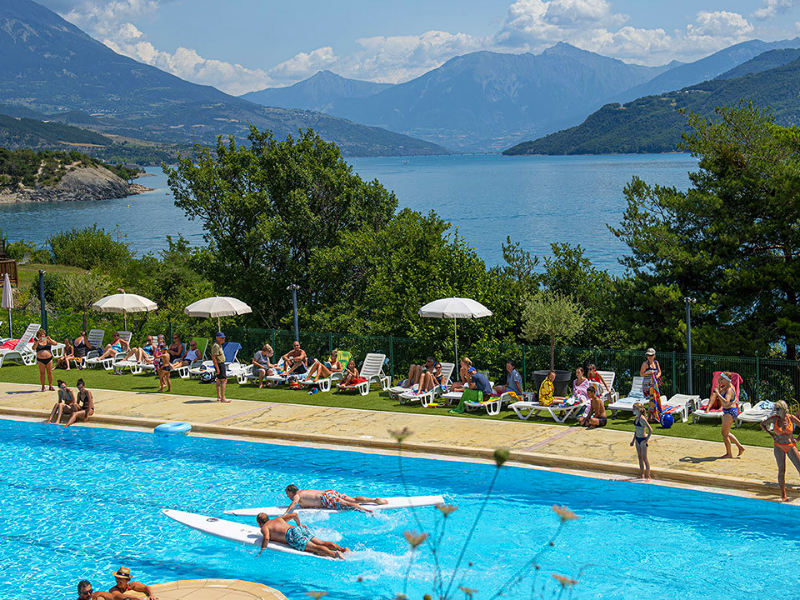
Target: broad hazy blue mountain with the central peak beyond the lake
(485, 101)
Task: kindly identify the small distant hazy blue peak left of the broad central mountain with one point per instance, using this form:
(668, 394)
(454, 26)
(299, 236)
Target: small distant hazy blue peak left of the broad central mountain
(318, 92)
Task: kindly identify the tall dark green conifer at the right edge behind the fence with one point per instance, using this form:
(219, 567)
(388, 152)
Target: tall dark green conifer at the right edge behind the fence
(732, 240)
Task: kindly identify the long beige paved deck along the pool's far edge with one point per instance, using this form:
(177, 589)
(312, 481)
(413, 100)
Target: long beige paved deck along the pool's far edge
(600, 452)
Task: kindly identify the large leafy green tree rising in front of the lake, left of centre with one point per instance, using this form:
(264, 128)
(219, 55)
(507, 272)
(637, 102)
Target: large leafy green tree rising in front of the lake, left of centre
(268, 207)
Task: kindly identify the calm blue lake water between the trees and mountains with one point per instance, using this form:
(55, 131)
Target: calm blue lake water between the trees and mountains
(536, 200)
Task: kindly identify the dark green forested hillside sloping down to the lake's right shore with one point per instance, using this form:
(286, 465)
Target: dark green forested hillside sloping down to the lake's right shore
(653, 123)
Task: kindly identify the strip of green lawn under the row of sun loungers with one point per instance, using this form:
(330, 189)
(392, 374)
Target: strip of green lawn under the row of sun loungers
(98, 378)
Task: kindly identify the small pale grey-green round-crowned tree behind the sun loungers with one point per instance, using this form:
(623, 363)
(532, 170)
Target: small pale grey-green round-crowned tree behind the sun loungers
(554, 316)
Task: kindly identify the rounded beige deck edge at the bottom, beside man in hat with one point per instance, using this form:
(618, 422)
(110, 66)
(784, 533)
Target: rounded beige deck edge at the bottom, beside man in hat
(212, 589)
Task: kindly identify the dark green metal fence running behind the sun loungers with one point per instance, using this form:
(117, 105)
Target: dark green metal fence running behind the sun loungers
(764, 379)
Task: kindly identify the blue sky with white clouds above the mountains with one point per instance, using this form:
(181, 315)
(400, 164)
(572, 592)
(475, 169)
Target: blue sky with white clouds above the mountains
(243, 45)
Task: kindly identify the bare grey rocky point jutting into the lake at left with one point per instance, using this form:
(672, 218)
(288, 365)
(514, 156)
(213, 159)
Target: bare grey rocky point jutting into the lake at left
(81, 185)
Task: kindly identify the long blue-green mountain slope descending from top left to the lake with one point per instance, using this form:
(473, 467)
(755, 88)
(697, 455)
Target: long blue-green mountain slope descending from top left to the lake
(52, 67)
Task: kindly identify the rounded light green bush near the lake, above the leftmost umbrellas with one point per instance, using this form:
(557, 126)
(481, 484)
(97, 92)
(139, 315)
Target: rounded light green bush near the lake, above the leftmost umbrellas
(88, 248)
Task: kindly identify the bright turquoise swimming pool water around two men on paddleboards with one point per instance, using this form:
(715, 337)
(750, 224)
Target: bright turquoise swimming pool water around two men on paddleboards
(81, 502)
